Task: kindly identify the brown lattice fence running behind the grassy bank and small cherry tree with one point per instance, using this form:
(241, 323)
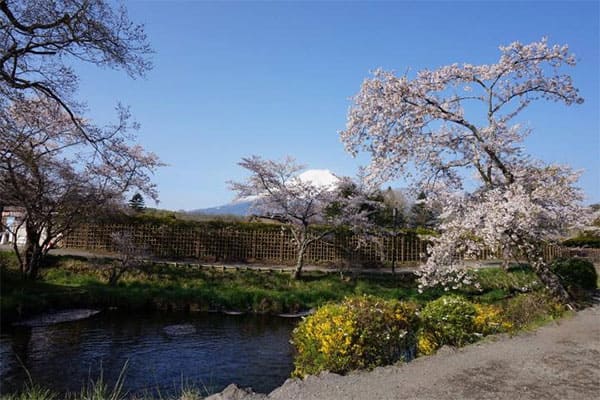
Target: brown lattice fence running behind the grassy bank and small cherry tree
(271, 246)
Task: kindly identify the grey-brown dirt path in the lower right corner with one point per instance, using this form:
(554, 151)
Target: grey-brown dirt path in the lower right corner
(559, 361)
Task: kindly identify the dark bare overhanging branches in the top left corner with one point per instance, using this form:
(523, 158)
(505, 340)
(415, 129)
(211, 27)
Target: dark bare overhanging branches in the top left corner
(39, 40)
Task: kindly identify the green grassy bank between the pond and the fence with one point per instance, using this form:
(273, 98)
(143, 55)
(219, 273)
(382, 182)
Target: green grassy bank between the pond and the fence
(68, 282)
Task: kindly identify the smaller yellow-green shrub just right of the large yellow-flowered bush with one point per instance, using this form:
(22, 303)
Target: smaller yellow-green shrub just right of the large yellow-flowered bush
(448, 320)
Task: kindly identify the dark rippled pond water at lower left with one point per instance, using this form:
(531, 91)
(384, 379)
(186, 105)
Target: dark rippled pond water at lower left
(206, 350)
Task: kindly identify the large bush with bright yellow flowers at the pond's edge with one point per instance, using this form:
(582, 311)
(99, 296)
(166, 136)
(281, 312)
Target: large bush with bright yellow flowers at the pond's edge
(360, 333)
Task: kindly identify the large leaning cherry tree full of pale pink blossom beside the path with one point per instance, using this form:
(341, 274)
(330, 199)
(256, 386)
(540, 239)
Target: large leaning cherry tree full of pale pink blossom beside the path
(445, 126)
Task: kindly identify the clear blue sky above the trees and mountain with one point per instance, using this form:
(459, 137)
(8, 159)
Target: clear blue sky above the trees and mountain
(232, 79)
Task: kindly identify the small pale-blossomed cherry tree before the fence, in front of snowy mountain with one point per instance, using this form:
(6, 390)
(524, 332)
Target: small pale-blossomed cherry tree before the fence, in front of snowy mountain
(277, 191)
